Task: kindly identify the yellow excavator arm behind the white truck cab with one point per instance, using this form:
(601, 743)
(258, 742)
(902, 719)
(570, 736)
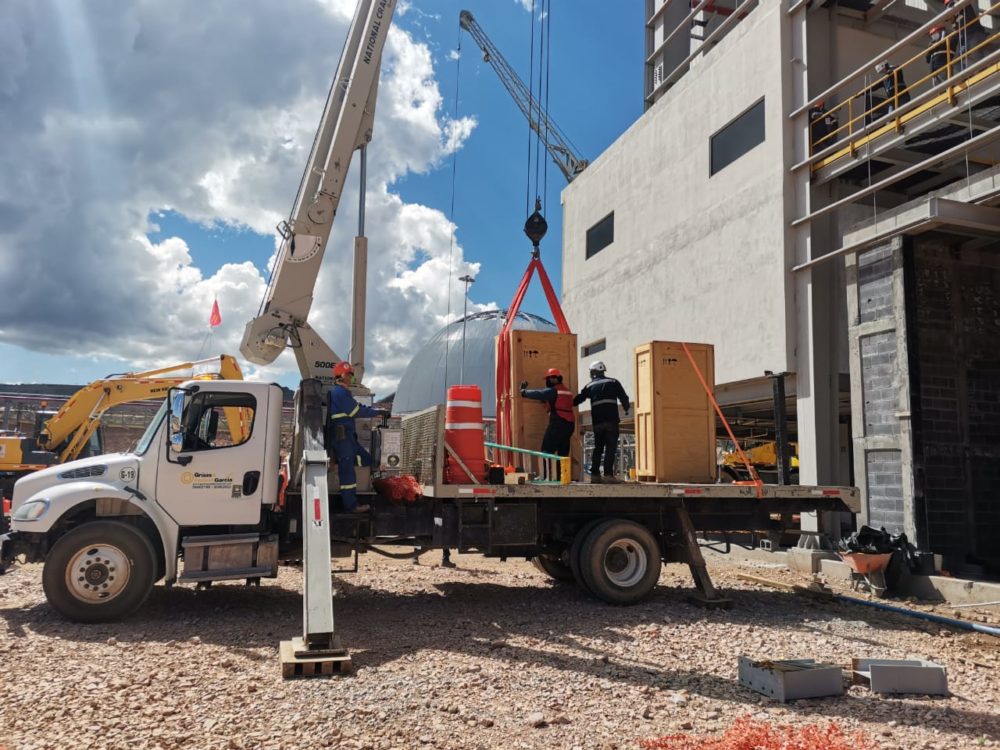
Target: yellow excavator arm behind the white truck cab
(69, 430)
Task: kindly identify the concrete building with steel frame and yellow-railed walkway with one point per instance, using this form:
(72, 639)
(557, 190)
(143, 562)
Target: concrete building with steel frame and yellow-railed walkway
(776, 145)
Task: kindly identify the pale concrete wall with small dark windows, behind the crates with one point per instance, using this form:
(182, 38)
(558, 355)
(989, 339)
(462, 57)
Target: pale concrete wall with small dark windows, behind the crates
(695, 257)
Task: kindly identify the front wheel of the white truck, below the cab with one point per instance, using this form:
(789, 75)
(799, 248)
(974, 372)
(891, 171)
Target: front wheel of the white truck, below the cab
(100, 571)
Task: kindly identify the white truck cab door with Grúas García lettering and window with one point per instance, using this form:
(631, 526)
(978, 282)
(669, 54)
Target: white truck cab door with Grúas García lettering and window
(212, 474)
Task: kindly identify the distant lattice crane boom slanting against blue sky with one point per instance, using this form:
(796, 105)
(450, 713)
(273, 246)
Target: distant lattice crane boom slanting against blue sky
(556, 142)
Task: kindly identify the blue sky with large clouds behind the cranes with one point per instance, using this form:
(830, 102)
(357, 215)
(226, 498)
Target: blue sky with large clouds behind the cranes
(173, 161)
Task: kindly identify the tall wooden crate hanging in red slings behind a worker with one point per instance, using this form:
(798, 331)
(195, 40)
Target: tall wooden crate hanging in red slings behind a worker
(531, 354)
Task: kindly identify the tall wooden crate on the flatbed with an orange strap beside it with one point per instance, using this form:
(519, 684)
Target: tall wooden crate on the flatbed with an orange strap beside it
(674, 418)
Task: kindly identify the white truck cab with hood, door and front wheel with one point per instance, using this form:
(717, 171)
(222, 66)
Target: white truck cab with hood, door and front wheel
(194, 489)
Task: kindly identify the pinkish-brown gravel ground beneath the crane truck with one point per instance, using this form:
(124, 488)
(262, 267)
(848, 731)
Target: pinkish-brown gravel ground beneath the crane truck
(489, 655)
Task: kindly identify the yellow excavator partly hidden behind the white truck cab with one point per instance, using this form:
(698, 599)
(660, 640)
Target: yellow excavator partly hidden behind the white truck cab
(66, 434)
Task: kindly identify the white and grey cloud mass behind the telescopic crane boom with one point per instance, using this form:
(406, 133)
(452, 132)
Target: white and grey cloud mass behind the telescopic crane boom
(116, 112)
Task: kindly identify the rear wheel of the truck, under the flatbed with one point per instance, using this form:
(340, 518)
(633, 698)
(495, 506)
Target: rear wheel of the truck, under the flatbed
(620, 561)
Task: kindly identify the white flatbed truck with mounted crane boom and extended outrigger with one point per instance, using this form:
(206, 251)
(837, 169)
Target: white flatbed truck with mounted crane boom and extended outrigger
(198, 500)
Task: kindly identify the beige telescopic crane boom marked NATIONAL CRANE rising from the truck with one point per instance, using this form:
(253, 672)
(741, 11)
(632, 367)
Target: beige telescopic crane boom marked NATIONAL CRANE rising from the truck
(346, 126)
